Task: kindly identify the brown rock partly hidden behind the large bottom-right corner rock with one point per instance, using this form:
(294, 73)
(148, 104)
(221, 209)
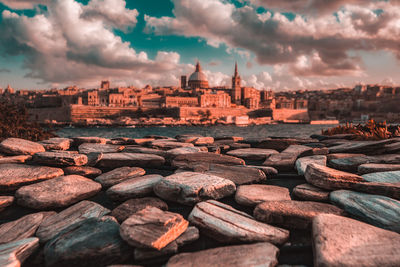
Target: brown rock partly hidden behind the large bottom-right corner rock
(293, 214)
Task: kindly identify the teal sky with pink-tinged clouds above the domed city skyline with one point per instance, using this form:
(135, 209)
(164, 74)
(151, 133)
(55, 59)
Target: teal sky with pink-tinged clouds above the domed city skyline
(278, 44)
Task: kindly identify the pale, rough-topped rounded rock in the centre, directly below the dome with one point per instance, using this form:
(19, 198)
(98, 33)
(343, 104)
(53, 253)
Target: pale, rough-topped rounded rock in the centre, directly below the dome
(190, 187)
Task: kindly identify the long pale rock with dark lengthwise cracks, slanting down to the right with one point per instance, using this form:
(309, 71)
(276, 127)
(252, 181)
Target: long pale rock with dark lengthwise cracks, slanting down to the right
(225, 224)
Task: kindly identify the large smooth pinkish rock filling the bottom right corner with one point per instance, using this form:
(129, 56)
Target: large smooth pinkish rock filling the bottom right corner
(340, 241)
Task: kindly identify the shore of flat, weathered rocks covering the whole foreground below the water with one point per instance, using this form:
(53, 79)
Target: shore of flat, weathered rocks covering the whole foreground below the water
(200, 201)
